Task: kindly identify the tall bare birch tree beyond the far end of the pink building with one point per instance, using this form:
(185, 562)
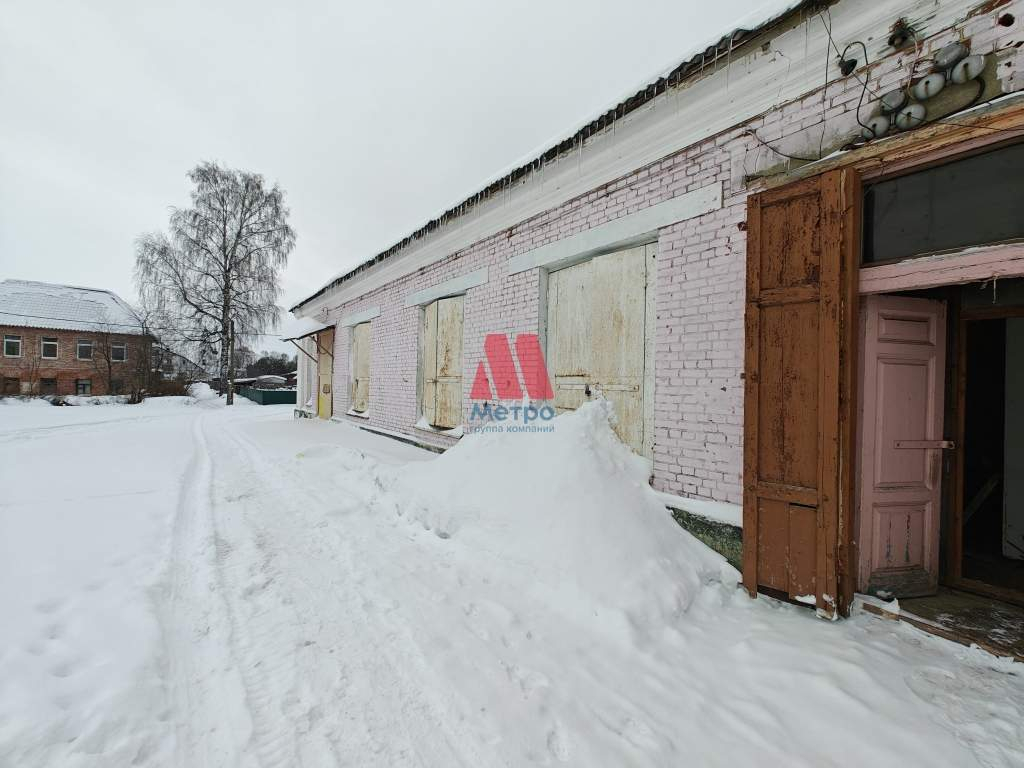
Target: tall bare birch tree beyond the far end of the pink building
(215, 277)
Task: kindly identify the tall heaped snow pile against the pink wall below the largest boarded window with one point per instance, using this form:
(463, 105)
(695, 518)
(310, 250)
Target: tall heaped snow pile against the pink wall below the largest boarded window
(571, 511)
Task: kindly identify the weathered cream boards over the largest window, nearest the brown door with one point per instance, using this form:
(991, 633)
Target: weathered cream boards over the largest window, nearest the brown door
(600, 338)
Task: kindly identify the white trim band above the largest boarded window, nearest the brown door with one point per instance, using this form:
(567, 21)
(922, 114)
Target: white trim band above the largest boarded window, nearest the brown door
(625, 232)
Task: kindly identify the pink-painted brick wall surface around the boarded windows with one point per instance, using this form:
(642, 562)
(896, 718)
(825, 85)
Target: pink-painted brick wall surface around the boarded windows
(700, 286)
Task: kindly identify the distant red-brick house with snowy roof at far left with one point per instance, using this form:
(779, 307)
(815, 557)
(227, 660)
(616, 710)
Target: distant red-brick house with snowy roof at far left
(68, 340)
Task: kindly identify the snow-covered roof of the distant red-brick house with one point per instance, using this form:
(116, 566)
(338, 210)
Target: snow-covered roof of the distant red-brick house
(32, 305)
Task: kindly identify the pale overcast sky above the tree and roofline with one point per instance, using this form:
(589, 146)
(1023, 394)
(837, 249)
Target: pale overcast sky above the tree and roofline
(374, 117)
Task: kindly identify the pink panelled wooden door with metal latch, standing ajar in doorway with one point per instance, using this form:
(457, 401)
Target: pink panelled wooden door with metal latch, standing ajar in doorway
(901, 482)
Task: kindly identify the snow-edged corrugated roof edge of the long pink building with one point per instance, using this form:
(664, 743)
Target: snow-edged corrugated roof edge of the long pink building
(772, 14)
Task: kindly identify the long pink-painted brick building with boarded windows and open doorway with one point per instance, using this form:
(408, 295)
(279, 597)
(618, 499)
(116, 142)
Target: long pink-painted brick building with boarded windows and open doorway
(708, 255)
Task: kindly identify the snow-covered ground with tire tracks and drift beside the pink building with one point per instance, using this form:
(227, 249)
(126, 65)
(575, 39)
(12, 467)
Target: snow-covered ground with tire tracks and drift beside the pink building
(188, 585)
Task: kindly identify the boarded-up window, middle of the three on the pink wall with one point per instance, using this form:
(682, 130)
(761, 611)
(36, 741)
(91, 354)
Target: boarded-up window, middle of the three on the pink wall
(442, 363)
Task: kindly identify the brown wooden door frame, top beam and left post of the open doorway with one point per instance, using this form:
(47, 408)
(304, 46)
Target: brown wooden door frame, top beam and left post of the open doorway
(983, 130)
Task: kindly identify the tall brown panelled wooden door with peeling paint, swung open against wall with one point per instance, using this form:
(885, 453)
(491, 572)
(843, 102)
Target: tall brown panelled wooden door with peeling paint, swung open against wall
(798, 319)
